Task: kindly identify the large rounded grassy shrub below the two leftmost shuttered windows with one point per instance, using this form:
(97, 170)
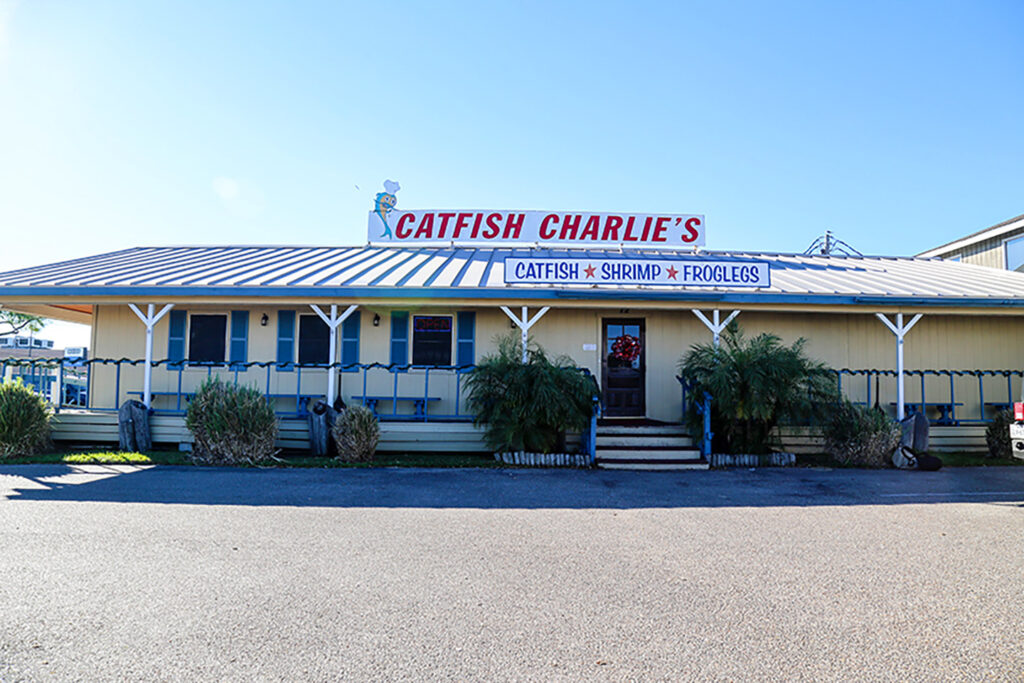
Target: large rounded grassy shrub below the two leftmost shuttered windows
(231, 425)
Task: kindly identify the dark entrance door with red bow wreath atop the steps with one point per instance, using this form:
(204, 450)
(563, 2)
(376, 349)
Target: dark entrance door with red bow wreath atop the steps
(623, 368)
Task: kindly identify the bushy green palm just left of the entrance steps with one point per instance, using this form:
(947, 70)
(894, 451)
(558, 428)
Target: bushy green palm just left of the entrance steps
(529, 406)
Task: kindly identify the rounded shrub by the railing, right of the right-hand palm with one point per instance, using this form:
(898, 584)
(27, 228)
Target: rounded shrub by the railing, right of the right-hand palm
(861, 436)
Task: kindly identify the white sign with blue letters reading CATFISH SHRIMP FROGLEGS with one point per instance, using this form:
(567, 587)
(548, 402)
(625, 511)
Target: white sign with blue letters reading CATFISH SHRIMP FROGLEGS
(686, 273)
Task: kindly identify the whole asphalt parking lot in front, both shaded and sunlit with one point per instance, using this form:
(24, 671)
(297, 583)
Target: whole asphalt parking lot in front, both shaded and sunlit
(188, 574)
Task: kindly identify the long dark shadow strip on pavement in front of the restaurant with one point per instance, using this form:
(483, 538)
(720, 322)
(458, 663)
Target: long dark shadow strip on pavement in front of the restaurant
(507, 489)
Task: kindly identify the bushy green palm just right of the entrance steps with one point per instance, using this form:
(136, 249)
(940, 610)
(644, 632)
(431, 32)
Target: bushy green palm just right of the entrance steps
(756, 385)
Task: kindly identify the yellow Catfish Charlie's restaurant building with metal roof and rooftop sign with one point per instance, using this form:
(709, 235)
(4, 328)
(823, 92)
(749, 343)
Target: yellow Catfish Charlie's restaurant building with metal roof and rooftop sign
(401, 321)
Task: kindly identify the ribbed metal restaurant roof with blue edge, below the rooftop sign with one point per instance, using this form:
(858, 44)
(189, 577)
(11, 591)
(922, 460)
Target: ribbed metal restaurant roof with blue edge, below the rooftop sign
(471, 273)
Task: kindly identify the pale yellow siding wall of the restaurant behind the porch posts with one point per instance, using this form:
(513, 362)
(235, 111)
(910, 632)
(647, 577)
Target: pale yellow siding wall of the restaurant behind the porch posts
(857, 341)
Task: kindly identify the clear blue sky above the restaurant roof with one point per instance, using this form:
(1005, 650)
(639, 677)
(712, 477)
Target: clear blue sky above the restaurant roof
(897, 125)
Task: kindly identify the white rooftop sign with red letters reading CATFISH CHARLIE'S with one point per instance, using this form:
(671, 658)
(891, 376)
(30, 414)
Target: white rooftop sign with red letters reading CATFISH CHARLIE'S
(544, 228)
